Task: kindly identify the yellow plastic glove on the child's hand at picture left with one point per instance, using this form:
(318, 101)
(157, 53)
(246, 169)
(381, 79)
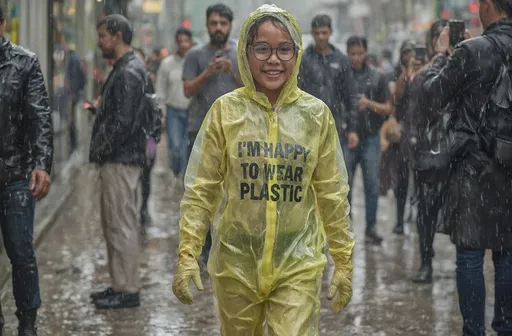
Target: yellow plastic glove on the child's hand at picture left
(188, 269)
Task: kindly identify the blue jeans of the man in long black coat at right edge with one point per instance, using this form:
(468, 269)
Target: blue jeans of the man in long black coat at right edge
(471, 289)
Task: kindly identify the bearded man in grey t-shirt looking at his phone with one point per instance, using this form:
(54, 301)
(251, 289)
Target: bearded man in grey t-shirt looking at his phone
(210, 71)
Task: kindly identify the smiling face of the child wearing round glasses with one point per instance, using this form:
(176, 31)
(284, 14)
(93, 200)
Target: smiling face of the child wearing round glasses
(272, 58)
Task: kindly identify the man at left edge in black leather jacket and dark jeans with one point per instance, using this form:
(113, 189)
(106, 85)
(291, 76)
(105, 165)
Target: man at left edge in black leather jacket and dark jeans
(26, 152)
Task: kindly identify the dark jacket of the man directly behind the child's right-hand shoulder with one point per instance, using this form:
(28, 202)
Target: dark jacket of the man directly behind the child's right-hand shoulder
(329, 78)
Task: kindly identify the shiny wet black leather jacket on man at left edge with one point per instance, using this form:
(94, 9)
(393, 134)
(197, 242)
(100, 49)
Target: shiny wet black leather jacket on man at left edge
(26, 141)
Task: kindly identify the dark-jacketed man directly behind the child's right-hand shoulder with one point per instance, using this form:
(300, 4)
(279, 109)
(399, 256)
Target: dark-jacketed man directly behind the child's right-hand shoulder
(326, 73)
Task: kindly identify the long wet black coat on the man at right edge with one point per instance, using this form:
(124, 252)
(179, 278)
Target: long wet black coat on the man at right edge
(477, 208)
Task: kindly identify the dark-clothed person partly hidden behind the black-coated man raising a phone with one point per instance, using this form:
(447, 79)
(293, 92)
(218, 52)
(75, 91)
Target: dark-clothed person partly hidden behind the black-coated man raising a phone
(416, 132)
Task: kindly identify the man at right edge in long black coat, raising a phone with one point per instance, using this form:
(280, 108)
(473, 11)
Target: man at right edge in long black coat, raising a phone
(479, 215)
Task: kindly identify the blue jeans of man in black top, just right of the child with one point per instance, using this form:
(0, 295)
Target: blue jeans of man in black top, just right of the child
(368, 155)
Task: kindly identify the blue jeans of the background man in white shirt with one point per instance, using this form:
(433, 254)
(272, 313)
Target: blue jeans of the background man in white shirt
(176, 123)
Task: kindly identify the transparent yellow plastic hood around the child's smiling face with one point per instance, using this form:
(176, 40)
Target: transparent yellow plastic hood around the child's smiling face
(290, 91)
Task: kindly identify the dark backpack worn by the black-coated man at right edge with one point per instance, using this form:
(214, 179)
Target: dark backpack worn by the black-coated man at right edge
(495, 130)
